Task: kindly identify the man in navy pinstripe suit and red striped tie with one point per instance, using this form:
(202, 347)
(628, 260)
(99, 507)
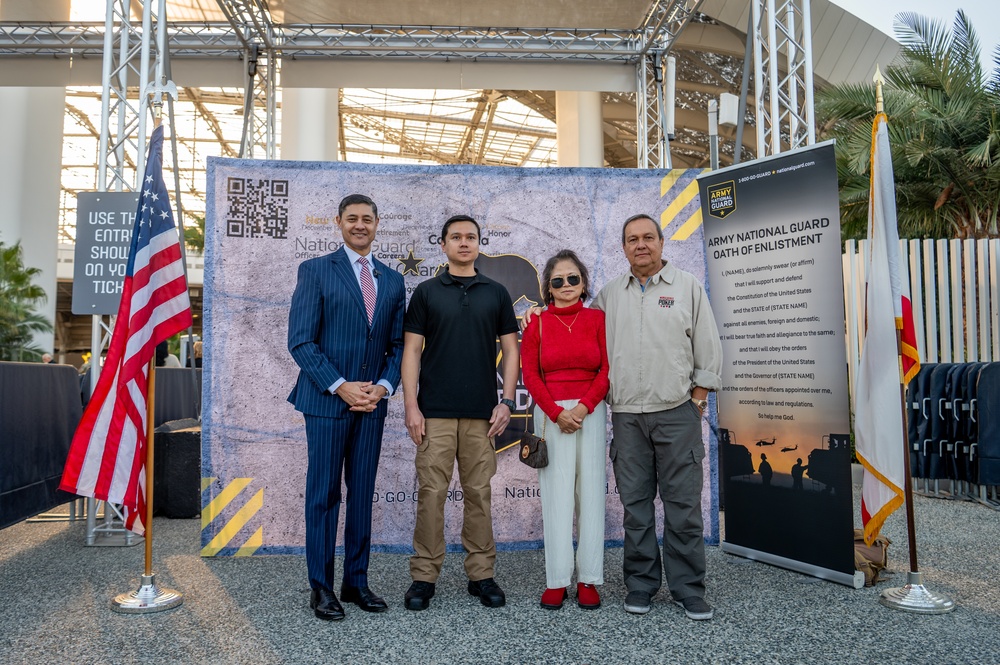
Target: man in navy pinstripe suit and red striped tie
(345, 332)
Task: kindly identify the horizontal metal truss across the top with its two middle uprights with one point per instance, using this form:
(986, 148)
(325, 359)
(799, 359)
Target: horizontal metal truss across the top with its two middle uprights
(252, 36)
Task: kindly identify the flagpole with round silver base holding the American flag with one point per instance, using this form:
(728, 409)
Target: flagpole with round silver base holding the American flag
(149, 597)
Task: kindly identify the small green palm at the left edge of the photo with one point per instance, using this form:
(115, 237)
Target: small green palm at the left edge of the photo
(18, 298)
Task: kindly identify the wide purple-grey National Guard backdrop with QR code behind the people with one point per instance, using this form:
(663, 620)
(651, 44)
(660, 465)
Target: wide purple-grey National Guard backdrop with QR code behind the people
(266, 217)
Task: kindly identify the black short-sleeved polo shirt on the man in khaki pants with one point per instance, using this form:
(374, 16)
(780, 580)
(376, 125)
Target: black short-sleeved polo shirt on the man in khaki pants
(460, 324)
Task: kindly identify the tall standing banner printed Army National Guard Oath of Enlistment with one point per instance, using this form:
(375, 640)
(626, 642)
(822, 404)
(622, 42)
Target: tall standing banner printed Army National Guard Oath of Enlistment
(772, 234)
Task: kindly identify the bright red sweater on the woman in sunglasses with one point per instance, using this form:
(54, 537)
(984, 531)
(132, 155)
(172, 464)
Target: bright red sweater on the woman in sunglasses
(575, 361)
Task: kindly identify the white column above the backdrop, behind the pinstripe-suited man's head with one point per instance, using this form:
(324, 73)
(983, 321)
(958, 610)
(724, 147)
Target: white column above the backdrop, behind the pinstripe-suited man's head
(310, 124)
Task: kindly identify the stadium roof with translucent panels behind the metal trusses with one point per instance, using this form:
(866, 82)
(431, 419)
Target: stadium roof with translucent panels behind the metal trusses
(500, 126)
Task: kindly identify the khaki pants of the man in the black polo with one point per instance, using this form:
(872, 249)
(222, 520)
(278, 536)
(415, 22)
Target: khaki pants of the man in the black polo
(445, 440)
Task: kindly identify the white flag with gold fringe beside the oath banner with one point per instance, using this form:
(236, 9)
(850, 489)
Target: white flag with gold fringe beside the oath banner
(878, 423)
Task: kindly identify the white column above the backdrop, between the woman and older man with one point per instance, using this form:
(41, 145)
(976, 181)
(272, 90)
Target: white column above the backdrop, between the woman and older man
(579, 129)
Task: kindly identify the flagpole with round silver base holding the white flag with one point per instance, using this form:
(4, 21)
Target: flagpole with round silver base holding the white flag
(914, 596)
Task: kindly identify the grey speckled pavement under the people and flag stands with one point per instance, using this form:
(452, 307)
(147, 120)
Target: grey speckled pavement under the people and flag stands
(55, 607)
